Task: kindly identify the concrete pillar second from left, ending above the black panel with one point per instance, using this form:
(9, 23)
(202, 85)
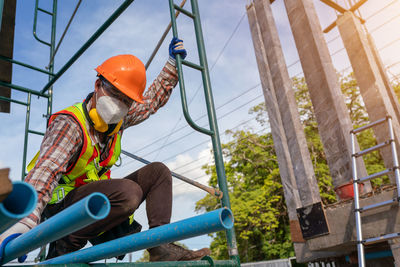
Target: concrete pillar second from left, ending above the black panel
(286, 102)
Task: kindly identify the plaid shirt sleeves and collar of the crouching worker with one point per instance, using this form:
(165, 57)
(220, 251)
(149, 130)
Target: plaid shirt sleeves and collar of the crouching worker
(63, 140)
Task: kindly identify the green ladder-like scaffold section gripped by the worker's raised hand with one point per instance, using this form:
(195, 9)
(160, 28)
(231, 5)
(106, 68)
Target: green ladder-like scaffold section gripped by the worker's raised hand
(212, 118)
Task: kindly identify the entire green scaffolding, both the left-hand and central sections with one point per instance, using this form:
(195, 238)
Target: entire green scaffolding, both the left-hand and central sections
(47, 92)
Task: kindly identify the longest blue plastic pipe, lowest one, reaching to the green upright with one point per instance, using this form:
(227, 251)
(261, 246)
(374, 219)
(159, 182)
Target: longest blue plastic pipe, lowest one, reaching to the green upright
(210, 222)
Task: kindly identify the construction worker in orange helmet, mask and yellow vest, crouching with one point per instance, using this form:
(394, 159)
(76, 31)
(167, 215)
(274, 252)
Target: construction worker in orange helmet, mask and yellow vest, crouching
(82, 143)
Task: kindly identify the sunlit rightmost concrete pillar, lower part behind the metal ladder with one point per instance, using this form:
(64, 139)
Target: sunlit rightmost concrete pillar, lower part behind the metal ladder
(370, 80)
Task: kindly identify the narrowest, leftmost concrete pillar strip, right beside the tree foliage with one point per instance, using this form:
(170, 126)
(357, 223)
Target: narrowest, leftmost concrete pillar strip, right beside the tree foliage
(282, 152)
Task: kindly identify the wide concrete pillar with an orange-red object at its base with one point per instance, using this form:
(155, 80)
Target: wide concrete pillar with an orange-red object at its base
(333, 120)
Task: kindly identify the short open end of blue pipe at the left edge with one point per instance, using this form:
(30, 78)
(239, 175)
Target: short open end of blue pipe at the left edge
(17, 205)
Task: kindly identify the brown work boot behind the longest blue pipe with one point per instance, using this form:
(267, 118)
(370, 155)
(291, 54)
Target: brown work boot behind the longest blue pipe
(173, 252)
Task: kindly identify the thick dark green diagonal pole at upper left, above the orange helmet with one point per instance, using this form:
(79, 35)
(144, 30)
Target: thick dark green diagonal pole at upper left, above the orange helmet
(88, 43)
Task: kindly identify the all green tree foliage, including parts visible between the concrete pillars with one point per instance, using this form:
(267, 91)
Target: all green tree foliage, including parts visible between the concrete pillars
(254, 184)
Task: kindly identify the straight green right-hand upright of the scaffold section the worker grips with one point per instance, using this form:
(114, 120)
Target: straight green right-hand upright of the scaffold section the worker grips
(212, 117)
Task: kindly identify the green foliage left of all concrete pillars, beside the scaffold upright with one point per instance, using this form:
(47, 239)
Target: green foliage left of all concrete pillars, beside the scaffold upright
(256, 199)
